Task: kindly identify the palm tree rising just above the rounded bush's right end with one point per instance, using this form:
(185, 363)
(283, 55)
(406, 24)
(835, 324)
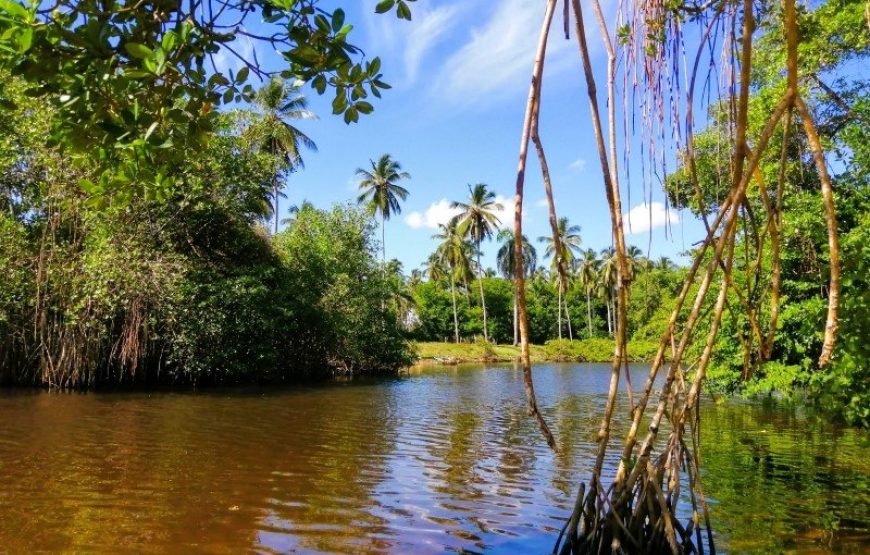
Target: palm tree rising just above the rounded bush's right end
(381, 194)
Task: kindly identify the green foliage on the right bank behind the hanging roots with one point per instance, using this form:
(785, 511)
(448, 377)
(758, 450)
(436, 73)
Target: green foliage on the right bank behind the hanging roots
(833, 40)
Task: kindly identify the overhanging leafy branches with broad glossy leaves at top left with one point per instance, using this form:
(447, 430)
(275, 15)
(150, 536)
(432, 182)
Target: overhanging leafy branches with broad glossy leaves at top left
(136, 89)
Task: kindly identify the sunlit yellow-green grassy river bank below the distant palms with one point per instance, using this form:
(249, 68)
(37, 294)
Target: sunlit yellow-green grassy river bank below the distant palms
(564, 350)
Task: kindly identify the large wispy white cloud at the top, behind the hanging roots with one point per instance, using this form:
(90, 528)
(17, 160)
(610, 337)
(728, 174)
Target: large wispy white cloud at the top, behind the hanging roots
(500, 53)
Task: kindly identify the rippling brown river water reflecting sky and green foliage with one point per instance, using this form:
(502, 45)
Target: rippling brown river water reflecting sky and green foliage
(442, 460)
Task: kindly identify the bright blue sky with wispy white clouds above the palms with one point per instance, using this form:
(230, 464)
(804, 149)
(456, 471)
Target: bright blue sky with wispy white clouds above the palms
(460, 73)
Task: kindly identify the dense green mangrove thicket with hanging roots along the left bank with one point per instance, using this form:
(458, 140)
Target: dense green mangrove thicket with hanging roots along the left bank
(181, 289)
